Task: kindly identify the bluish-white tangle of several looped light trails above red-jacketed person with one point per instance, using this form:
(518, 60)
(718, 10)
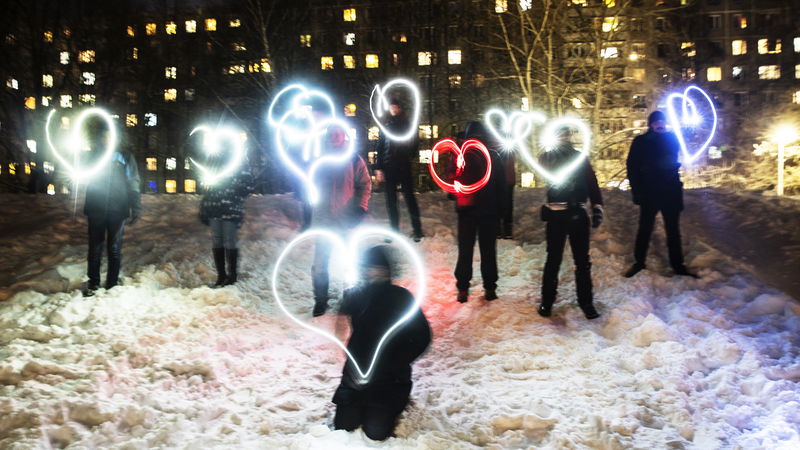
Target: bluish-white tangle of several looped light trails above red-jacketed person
(314, 140)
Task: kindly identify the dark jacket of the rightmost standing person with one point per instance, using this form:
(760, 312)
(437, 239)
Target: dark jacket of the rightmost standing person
(653, 169)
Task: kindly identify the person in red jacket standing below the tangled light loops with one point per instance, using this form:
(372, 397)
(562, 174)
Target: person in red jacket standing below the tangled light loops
(343, 203)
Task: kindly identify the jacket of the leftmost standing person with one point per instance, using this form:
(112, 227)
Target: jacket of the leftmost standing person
(114, 192)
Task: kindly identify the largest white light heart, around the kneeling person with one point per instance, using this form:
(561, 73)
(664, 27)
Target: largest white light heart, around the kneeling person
(348, 255)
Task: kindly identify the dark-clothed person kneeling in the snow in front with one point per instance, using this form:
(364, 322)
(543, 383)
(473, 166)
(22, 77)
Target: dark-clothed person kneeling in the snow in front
(373, 307)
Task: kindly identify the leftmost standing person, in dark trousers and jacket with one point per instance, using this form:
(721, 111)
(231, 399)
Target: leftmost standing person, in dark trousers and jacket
(113, 196)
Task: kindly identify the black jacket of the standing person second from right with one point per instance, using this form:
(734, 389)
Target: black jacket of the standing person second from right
(579, 186)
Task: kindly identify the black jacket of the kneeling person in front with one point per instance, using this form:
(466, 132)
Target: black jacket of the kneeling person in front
(373, 309)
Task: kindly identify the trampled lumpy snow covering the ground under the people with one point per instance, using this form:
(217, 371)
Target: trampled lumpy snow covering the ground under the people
(166, 361)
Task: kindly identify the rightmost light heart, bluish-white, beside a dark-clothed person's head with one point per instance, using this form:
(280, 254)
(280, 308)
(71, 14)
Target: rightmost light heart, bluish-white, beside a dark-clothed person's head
(690, 117)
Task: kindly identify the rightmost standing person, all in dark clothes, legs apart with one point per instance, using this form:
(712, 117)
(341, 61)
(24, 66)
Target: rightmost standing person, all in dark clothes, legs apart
(656, 186)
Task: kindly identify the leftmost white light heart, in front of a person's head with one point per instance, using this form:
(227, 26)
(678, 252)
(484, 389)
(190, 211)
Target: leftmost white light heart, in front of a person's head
(76, 142)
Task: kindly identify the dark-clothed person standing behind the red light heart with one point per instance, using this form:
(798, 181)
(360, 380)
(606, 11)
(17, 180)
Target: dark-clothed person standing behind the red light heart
(479, 214)
